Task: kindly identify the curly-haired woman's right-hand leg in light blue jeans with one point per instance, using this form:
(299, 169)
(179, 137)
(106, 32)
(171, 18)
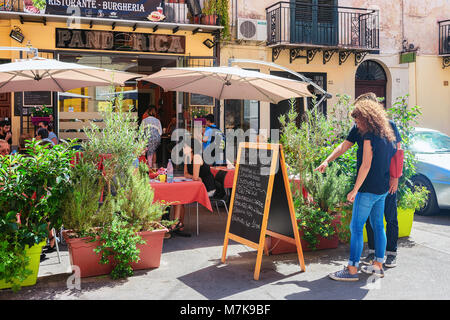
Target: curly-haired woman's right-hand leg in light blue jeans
(377, 221)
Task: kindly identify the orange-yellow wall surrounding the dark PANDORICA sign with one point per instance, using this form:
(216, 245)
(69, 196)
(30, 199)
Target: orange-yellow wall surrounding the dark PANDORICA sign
(43, 38)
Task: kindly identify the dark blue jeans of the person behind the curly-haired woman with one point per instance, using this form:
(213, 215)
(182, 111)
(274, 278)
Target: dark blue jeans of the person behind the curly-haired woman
(390, 214)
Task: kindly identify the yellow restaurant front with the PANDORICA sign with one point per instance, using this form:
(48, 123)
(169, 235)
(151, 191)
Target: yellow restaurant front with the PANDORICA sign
(119, 35)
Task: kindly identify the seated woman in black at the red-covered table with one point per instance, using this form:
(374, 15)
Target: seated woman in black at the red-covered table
(196, 169)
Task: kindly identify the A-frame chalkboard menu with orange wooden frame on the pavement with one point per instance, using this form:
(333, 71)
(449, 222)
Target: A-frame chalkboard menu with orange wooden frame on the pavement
(278, 213)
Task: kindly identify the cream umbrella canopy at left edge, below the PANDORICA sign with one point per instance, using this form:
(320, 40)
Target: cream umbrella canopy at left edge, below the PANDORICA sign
(39, 74)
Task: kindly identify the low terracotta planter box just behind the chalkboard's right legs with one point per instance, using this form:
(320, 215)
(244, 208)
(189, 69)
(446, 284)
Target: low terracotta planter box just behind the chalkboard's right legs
(277, 246)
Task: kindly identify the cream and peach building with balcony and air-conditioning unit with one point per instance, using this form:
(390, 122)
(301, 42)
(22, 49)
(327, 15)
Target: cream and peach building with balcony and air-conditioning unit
(347, 47)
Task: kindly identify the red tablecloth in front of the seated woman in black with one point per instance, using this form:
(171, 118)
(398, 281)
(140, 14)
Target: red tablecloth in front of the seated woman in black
(182, 193)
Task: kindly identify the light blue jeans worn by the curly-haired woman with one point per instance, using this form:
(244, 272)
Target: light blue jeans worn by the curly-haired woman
(367, 205)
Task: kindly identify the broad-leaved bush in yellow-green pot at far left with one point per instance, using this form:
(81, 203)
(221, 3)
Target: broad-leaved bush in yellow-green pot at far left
(30, 199)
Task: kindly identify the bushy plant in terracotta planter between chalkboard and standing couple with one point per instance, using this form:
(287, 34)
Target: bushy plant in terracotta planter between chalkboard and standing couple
(318, 214)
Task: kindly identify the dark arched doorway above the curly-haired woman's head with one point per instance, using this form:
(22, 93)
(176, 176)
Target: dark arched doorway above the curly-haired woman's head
(371, 77)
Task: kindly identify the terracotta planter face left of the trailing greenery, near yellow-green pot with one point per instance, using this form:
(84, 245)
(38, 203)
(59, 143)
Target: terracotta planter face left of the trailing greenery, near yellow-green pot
(81, 253)
